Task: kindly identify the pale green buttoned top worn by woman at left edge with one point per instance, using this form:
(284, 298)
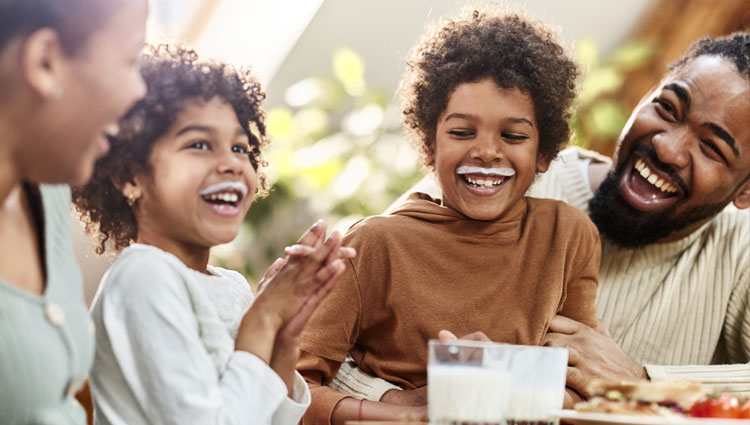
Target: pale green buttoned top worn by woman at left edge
(46, 341)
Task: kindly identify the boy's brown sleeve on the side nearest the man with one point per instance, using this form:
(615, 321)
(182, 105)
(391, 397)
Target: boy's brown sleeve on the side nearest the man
(580, 288)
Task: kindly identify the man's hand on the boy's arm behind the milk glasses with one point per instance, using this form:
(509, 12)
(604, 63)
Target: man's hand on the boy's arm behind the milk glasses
(591, 354)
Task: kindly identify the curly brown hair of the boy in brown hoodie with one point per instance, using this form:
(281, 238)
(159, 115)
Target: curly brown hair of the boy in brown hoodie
(488, 42)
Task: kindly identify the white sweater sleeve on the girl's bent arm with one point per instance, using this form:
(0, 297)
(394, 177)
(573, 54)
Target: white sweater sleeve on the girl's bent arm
(156, 343)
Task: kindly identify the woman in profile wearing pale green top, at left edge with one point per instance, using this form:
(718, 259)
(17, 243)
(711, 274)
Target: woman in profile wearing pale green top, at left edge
(62, 82)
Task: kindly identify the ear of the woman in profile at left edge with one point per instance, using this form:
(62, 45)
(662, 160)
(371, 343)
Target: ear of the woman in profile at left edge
(43, 63)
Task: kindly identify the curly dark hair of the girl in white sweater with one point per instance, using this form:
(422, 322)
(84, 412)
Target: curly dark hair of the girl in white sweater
(173, 75)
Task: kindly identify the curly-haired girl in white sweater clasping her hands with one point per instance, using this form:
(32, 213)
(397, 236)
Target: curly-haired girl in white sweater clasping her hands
(180, 341)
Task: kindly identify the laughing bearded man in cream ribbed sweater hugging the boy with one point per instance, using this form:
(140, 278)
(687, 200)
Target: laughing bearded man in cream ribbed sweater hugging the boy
(671, 207)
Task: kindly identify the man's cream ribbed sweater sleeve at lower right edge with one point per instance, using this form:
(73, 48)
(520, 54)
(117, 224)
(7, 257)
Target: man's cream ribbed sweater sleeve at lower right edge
(734, 377)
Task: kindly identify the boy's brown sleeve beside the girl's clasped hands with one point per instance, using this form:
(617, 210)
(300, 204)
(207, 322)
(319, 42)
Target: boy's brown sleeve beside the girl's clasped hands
(326, 341)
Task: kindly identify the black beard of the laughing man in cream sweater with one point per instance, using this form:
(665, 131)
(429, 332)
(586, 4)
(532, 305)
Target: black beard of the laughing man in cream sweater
(629, 227)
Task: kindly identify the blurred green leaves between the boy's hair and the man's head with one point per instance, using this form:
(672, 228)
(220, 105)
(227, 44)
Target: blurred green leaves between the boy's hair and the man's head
(598, 115)
